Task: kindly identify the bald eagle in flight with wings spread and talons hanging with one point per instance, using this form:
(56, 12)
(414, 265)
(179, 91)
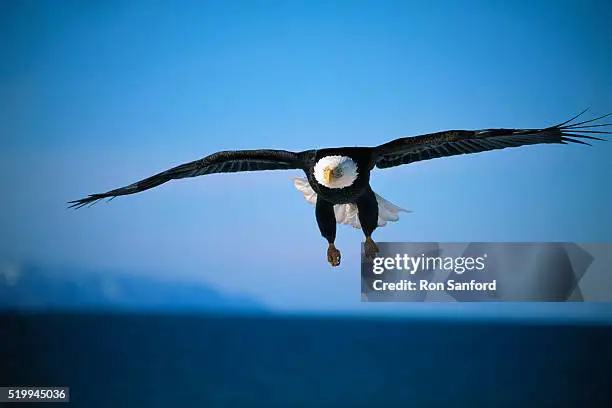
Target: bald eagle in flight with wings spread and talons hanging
(337, 180)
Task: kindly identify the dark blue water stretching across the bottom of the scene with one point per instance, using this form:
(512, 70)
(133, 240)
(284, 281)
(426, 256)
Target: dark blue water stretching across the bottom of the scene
(199, 361)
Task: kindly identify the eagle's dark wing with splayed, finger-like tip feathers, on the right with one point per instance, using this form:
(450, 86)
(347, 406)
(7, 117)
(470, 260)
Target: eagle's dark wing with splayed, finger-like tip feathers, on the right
(454, 142)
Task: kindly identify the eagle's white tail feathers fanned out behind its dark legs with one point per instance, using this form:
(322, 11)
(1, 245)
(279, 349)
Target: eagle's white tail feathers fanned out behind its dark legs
(347, 213)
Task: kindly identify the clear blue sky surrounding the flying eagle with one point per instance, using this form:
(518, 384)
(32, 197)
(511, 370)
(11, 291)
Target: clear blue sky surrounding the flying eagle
(95, 96)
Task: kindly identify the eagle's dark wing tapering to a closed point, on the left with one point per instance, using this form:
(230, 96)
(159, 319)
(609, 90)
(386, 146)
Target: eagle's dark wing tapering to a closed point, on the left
(220, 162)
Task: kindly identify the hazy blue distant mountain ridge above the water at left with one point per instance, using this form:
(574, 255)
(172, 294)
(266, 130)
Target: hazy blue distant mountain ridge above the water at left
(31, 286)
